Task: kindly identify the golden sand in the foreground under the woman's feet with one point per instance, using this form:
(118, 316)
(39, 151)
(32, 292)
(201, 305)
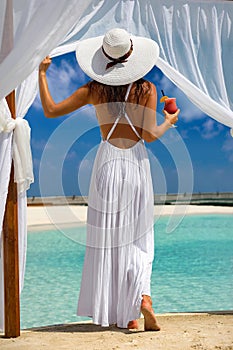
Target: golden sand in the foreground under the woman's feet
(179, 332)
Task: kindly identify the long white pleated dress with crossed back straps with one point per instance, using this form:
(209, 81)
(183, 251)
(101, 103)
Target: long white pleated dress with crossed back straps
(120, 234)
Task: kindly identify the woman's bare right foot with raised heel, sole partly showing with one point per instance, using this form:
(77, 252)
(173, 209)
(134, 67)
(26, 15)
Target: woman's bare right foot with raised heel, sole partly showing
(150, 323)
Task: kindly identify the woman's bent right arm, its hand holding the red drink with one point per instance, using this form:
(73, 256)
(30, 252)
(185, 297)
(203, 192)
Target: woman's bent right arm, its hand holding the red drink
(152, 131)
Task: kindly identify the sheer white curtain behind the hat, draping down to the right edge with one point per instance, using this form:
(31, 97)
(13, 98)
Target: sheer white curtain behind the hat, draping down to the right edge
(195, 39)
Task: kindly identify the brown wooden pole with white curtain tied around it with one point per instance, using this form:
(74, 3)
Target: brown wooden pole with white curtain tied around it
(10, 251)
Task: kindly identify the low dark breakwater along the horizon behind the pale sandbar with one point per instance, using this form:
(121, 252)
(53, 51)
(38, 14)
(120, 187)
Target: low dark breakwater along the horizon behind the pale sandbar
(205, 198)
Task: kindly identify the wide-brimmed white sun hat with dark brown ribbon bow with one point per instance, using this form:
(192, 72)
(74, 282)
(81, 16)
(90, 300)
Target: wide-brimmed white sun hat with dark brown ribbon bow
(117, 58)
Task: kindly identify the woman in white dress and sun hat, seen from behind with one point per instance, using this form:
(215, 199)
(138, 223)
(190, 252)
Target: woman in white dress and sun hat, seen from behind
(117, 269)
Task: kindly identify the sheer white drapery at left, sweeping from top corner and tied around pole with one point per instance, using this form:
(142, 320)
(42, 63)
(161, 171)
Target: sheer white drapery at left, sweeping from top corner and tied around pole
(38, 27)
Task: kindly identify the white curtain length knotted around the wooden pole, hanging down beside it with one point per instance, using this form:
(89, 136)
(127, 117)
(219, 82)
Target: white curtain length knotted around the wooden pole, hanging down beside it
(15, 144)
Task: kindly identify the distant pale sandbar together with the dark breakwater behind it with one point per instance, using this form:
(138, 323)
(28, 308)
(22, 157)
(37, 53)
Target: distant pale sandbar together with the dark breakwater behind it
(72, 210)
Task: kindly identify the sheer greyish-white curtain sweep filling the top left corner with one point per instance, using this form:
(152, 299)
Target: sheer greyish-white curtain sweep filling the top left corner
(38, 27)
